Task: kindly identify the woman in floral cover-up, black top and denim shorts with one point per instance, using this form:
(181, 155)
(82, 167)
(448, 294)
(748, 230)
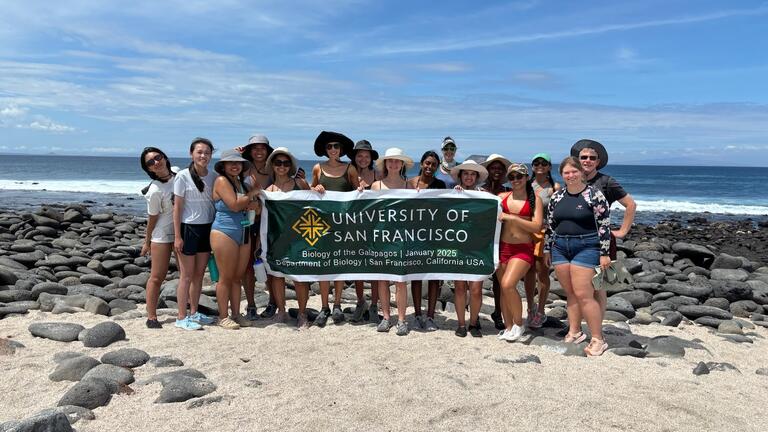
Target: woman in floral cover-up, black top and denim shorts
(578, 240)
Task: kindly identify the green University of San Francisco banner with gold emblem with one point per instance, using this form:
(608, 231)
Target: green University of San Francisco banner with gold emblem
(397, 235)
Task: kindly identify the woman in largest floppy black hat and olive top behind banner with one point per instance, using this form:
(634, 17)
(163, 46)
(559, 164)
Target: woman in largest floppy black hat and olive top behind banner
(338, 176)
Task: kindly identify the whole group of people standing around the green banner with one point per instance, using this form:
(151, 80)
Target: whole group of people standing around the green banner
(196, 211)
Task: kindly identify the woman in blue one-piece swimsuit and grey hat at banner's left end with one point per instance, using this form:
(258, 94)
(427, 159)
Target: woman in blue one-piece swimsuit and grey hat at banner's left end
(230, 234)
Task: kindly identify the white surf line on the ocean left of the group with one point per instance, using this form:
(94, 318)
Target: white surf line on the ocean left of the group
(128, 187)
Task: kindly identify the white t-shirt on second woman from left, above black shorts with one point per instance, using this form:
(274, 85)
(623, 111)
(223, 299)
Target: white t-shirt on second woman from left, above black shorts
(198, 206)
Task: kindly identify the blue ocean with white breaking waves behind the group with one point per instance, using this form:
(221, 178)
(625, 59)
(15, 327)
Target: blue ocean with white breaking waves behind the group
(114, 183)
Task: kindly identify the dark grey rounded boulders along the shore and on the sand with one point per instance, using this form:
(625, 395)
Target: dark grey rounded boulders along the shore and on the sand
(67, 260)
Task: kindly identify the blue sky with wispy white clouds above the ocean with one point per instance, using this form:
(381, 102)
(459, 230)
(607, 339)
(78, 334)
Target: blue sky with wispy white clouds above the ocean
(672, 82)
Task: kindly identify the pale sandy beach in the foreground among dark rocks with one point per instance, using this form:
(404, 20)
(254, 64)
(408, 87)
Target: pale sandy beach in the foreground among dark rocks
(349, 377)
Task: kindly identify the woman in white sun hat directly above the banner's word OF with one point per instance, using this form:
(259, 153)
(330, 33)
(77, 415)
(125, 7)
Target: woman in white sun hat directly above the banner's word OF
(468, 176)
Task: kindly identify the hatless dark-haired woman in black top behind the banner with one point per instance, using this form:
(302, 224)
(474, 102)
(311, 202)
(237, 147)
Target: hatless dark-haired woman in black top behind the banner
(426, 179)
